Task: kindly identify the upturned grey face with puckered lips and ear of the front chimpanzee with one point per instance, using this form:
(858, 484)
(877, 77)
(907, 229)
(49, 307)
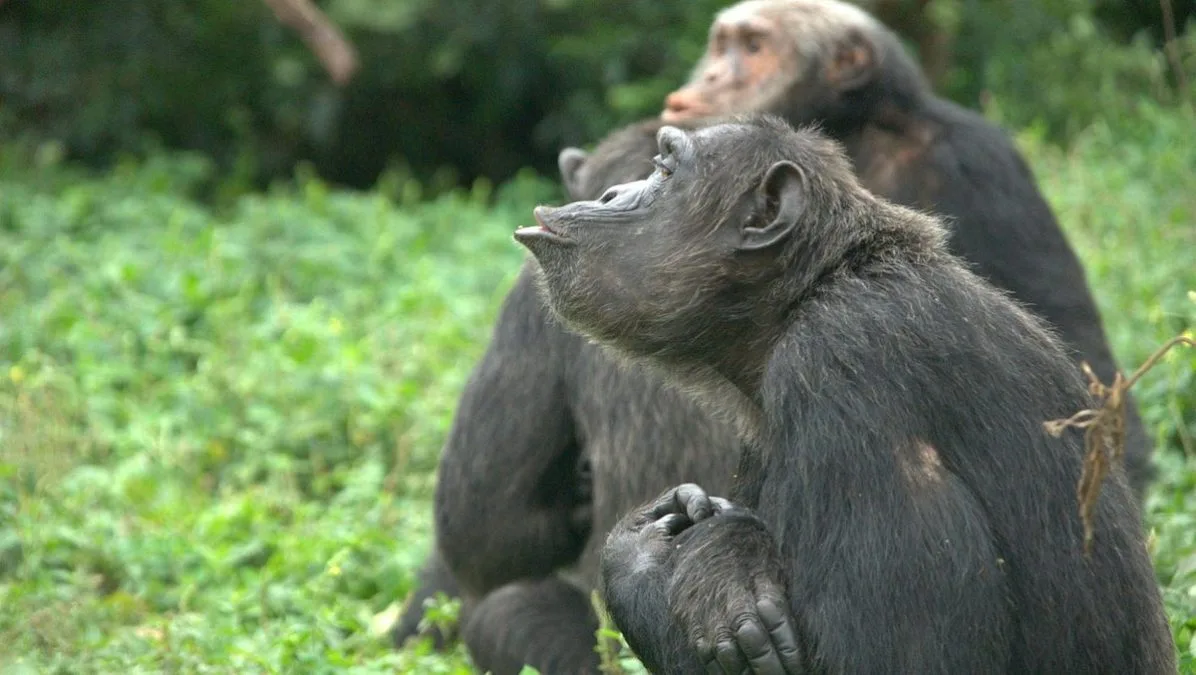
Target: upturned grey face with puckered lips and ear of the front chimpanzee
(655, 263)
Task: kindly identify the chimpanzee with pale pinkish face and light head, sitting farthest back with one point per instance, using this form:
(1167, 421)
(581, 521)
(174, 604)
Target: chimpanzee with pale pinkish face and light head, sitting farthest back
(832, 64)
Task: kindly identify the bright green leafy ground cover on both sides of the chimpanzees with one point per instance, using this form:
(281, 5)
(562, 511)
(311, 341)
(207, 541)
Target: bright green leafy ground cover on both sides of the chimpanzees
(219, 427)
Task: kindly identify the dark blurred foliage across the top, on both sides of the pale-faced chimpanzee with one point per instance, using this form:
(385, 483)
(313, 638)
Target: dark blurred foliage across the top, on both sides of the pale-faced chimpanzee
(459, 89)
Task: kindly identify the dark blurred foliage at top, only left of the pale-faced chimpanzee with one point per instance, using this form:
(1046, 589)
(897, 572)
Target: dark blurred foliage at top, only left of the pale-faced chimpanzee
(478, 88)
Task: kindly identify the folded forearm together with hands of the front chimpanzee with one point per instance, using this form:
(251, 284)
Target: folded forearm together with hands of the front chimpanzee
(695, 586)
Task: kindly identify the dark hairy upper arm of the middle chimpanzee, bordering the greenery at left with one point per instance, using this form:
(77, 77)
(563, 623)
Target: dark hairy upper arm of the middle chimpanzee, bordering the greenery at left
(509, 504)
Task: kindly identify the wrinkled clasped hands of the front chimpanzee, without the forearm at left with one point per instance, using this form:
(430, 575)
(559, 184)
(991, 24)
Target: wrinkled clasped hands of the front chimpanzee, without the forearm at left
(724, 580)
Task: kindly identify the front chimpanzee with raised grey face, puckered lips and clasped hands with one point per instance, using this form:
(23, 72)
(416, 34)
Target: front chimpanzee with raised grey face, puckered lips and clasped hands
(901, 508)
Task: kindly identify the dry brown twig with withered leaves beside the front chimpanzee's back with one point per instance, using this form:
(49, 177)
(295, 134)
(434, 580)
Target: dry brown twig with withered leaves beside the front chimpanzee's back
(1105, 435)
